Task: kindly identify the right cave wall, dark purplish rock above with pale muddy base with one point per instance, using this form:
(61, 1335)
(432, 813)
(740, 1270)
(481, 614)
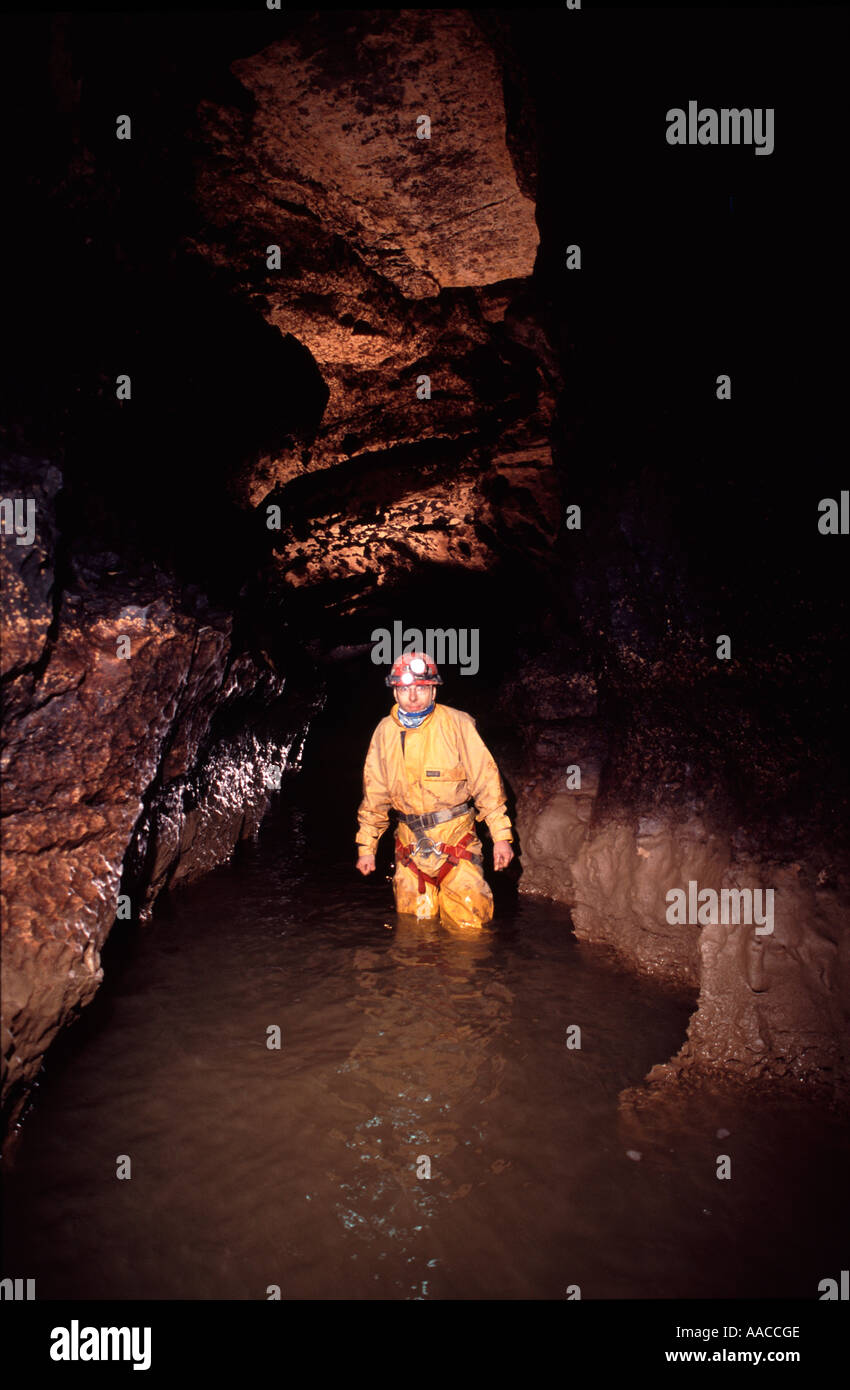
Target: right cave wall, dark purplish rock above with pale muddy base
(770, 1007)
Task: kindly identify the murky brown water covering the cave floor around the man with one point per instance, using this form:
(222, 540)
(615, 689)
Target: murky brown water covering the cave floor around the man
(401, 1040)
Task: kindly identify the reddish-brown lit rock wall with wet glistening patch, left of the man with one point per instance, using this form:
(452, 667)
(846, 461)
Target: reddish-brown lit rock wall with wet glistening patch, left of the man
(134, 750)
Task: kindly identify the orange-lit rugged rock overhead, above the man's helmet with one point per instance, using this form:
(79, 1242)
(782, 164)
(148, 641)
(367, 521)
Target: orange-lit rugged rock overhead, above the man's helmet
(403, 270)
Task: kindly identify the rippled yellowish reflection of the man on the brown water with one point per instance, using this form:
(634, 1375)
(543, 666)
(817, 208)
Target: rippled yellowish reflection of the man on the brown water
(433, 1015)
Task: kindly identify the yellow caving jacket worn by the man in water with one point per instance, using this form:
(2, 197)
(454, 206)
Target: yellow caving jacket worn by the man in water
(445, 761)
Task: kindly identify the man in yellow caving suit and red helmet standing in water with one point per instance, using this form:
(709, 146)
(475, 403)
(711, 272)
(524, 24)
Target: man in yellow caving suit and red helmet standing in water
(430, 764)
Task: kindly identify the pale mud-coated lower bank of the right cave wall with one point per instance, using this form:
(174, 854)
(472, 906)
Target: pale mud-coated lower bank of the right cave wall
(772, 1007)
